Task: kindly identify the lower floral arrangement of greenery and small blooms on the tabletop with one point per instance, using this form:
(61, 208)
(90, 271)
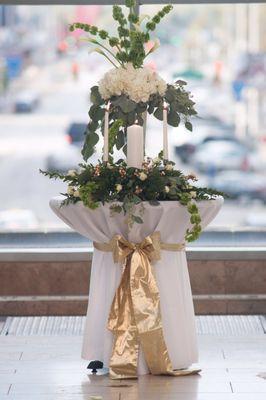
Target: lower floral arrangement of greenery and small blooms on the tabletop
(125, 188)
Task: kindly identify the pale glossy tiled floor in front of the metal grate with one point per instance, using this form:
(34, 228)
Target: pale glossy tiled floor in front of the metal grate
(49, 368)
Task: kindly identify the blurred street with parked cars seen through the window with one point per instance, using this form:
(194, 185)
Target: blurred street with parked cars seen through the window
(46, 74)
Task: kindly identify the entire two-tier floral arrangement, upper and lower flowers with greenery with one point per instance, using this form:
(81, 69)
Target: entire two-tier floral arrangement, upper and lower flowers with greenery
(130, 91)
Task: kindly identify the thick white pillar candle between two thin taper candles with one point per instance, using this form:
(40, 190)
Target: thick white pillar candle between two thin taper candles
(135, 146)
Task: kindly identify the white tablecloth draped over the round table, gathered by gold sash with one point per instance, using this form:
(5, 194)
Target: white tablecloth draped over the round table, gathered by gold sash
(172, 220)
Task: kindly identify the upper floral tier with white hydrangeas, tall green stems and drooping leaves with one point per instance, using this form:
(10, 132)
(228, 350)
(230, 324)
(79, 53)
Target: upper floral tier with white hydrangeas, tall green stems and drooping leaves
(129, 89)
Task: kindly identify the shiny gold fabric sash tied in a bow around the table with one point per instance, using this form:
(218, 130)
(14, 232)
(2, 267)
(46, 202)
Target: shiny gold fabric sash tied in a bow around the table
(135, 315)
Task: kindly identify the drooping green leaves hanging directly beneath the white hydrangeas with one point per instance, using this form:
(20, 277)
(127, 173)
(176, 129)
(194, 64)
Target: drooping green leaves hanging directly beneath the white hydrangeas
(177, 99)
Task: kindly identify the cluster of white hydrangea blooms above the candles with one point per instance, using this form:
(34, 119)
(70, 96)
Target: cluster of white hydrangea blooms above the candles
(138, 84)
